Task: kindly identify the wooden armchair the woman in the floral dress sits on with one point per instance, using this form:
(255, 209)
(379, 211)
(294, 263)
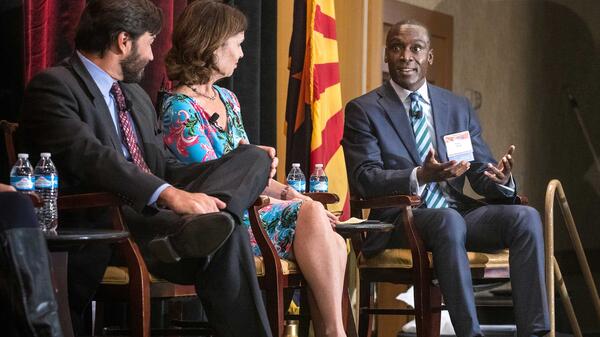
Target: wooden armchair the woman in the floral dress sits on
(281, 276)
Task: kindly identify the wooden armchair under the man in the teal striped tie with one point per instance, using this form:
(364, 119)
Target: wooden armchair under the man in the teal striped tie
(412, 266)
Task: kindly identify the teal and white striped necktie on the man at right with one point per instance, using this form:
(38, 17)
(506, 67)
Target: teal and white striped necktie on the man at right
(433, 196)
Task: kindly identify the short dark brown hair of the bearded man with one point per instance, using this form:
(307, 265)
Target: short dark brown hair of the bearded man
(103, 20)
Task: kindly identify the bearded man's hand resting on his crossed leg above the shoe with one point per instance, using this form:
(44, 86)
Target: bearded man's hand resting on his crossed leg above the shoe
(182, 202)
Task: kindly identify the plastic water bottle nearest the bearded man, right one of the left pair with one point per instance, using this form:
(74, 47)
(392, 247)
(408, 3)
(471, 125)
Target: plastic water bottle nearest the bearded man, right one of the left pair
(46, 185)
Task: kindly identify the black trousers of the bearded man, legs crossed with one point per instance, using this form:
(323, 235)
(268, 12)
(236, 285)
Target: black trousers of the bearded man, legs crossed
(226, 281)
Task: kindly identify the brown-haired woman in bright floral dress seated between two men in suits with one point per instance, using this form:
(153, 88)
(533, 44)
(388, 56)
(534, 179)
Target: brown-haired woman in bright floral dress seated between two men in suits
(202, 121)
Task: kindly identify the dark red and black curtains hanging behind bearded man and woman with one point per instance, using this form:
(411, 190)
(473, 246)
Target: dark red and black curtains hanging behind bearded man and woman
(42, 32)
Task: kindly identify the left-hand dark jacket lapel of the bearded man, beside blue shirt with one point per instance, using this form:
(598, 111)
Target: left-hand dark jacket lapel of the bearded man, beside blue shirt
(97, 99)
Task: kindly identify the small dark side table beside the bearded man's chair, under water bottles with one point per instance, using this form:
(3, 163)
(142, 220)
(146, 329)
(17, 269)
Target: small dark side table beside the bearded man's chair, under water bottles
(59, 243)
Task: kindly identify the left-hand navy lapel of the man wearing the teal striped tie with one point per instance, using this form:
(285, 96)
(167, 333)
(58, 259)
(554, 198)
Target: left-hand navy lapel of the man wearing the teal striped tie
(396, 113)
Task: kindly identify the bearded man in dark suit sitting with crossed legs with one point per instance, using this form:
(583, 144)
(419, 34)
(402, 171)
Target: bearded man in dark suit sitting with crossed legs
(100, 127)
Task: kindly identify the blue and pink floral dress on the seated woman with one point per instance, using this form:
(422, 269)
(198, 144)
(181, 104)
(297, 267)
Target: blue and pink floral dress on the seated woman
(189, 134)
